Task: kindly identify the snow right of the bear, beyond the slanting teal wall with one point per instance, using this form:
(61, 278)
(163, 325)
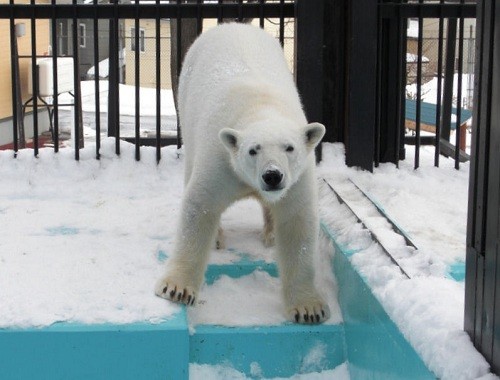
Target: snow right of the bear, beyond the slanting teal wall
(431, 205)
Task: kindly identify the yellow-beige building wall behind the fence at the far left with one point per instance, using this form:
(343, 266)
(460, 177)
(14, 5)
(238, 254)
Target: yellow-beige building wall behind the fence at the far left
(24, 46)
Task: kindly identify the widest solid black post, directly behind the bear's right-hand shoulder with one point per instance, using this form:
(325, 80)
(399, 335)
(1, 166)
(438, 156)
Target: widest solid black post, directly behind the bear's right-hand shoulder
(335, 68)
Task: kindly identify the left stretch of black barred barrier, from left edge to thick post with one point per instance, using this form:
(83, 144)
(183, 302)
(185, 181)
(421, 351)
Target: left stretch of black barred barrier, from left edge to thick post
(115, 11)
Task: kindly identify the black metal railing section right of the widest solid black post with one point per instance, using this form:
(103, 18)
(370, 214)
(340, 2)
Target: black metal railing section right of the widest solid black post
(396, 61)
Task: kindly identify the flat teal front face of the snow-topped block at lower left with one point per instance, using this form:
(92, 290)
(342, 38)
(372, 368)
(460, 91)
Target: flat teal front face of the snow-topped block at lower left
(74, 351)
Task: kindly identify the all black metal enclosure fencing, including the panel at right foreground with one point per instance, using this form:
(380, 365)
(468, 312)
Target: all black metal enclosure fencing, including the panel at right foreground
(352, 71)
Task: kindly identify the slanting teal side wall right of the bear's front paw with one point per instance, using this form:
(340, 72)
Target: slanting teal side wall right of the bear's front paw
(375, 348)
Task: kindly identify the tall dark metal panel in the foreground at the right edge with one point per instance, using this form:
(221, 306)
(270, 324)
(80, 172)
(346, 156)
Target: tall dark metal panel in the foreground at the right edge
(482, 301)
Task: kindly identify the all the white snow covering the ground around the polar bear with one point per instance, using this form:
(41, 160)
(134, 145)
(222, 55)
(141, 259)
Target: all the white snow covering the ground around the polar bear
(85, 242)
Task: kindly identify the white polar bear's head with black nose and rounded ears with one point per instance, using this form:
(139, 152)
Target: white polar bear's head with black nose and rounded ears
(271, 159)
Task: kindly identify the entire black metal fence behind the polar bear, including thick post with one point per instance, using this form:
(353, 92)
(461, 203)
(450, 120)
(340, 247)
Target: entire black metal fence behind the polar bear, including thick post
(354, 63)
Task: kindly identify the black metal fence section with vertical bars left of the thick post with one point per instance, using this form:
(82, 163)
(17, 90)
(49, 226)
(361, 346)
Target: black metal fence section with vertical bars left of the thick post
(186, 15)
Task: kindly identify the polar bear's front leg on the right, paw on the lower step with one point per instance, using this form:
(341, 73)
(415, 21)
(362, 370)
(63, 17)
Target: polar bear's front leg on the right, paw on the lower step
(297, 229)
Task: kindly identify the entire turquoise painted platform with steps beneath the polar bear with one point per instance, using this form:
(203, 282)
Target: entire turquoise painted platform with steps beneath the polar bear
(368, 340)
